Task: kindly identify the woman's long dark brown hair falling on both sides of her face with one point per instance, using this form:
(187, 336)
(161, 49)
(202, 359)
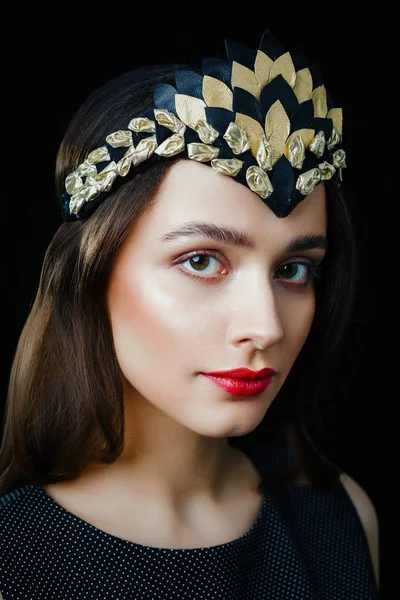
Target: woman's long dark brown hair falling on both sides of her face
(65, 405)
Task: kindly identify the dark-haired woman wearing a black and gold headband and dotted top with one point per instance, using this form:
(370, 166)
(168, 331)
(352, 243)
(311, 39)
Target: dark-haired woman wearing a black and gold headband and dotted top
(132, 464)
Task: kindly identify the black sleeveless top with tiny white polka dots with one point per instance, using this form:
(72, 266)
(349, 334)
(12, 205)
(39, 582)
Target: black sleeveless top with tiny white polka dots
(305, 544)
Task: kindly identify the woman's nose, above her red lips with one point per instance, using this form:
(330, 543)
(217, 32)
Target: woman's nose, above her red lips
(256, 315)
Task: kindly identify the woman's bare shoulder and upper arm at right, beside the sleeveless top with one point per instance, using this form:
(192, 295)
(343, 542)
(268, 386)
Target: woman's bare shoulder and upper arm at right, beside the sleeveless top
(369, 519)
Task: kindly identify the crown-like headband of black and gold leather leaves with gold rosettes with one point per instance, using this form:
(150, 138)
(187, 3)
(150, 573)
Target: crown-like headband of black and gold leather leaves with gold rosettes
(263, 117)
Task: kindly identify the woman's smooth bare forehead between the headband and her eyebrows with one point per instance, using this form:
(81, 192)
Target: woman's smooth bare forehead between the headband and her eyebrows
(193, 191)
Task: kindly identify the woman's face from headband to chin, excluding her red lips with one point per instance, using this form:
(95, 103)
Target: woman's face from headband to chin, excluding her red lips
(176, 313)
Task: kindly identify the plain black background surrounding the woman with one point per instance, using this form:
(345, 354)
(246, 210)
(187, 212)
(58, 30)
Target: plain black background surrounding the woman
(49, 66)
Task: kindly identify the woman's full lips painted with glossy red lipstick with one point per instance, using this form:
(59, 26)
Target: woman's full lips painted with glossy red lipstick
(242, 382)
